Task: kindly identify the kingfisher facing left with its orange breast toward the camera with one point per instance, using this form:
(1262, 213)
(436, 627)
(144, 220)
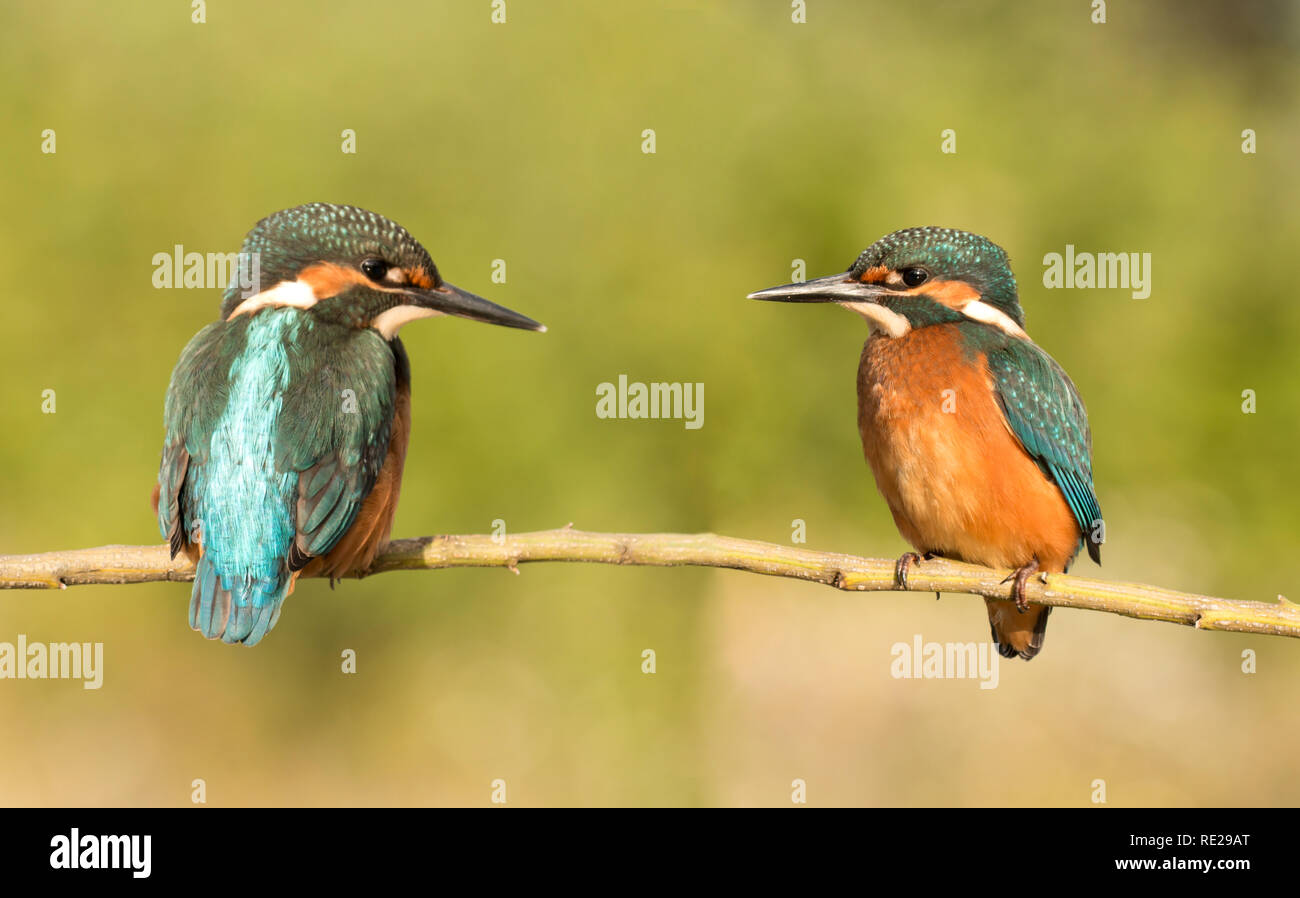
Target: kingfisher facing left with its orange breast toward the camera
(978, 440)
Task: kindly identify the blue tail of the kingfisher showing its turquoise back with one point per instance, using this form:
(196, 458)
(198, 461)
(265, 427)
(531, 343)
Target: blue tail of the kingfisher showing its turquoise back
(235, 609)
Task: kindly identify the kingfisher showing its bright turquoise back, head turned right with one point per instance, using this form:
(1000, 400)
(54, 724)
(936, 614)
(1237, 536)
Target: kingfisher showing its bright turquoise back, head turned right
(288, 419)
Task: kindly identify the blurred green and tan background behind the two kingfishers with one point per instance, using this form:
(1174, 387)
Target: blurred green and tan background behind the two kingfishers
(775, 142)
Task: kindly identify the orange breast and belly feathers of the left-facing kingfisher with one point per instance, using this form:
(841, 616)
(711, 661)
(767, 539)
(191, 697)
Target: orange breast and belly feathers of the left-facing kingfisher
(956, 479)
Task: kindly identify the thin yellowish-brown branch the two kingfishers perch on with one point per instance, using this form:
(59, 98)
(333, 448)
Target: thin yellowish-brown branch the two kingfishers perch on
(140, 565)
